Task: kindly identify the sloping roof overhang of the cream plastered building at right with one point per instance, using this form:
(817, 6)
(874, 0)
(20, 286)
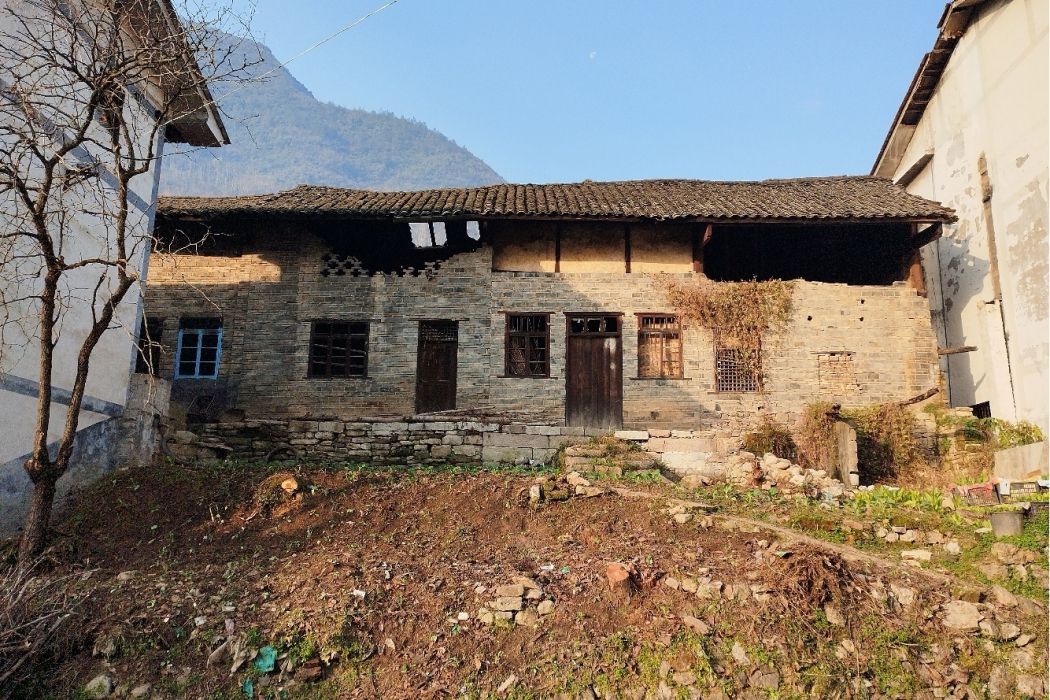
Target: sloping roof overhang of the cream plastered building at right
(954, 24)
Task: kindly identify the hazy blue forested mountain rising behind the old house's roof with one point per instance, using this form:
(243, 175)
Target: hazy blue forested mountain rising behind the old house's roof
(282, 137)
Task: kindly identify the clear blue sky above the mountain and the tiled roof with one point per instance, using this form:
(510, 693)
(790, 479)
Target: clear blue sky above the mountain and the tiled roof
(562, 91)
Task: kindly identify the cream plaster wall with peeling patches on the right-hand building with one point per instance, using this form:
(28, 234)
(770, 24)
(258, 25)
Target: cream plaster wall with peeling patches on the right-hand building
(993, 99)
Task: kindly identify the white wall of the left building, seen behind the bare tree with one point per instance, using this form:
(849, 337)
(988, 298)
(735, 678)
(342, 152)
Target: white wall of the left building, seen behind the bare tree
(87, 237)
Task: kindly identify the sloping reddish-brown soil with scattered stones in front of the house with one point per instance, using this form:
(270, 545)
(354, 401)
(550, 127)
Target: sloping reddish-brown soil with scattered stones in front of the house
(368, 572)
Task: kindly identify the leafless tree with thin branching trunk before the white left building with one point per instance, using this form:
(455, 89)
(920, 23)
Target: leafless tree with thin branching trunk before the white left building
(90, 90)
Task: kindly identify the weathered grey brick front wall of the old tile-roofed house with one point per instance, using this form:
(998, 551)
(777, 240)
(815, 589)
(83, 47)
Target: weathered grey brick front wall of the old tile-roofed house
(883, 336)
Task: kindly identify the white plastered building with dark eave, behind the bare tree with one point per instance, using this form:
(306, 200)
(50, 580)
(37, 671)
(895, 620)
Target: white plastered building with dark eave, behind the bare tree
(106, 431)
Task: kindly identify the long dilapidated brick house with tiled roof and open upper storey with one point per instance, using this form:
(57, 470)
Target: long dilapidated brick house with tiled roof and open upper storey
(545, 304)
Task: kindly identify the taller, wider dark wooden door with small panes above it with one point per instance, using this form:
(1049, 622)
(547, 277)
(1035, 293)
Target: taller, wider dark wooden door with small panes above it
(595, 372)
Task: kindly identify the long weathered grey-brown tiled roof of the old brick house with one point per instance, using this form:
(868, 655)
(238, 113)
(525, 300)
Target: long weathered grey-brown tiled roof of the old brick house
(836, 199)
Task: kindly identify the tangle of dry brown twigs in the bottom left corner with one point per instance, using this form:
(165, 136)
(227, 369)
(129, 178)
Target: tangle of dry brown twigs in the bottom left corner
(35, 623)
